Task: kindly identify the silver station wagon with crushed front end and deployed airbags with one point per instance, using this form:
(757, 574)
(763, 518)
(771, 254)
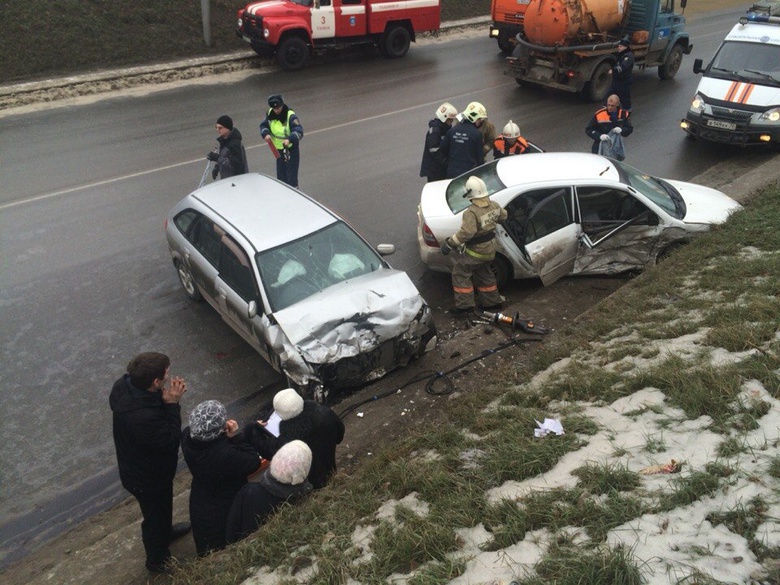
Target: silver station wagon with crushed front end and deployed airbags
(300, 285)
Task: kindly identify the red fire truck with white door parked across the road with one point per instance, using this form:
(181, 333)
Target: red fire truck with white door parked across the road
(294, 29)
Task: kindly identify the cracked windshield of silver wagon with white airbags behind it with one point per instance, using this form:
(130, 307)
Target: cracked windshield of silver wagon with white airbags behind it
(298, 269)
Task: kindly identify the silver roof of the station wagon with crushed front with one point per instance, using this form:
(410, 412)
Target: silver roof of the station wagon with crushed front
(266, 211)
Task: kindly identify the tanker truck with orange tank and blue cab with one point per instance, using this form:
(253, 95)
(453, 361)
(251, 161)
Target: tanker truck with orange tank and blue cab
(571, 45)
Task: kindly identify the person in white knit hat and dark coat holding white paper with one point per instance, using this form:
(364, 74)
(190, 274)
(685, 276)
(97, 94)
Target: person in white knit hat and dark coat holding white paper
(306, 420)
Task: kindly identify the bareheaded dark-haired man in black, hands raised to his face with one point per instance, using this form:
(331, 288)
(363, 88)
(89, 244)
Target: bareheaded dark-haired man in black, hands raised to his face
(147, 432)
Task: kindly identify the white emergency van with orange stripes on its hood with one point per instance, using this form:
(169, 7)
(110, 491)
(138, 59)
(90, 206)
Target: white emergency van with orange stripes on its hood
(738, 99)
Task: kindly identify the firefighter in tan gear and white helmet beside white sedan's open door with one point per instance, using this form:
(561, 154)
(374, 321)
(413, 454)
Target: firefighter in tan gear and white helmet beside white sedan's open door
(476, 243)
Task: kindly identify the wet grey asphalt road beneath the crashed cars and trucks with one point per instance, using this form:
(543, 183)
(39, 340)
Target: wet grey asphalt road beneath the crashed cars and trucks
(87, 281)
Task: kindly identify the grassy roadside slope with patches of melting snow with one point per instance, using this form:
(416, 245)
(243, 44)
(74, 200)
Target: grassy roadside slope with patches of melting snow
(685, 359)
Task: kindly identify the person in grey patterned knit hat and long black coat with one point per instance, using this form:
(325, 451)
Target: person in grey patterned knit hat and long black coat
(220, 460)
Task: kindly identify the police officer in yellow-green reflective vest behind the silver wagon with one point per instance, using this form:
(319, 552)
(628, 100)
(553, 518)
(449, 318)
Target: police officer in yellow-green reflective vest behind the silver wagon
(282, 129)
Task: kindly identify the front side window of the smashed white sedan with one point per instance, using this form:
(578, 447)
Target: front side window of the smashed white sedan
(602, 209)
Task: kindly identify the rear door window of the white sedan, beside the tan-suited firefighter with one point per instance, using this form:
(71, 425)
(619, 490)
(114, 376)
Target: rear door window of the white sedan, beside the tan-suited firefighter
(537, 213)
